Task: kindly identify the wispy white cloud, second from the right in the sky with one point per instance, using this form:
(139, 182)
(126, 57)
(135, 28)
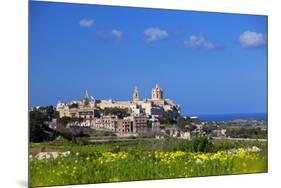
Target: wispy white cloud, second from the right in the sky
(199, 41)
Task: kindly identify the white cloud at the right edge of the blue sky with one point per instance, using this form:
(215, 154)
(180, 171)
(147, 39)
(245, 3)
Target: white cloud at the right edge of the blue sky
(250, 39)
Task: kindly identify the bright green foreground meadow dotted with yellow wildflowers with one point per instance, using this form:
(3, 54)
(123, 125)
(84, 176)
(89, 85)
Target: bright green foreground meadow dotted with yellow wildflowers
(138, 164)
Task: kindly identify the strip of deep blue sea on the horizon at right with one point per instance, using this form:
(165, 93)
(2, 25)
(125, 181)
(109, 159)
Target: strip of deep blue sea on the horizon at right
(226, 117)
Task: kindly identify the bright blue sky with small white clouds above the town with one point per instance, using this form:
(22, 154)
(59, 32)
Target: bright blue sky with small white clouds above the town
(209, 63)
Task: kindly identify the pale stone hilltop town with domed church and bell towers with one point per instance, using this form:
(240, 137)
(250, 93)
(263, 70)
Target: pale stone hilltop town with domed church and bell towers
(135, 116)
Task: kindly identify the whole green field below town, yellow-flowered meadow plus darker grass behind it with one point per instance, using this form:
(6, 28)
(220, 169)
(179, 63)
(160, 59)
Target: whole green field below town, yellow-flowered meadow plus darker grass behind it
(143, 160)
